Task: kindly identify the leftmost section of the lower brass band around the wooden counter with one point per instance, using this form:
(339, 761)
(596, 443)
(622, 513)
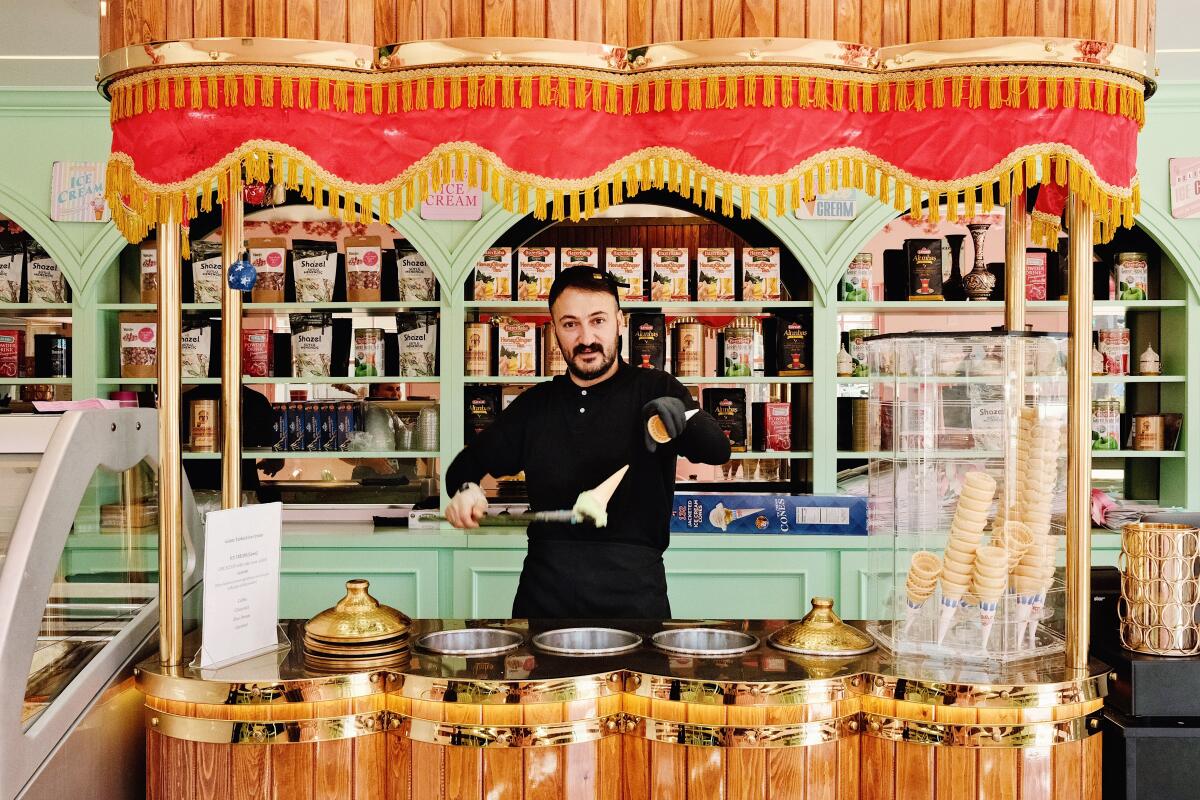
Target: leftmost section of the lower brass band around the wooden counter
(241, 732)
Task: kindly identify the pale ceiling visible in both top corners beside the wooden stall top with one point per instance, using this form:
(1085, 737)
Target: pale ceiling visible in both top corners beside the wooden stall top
(53, 43)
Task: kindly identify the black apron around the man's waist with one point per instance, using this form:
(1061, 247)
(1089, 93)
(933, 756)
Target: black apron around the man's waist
(574, 580)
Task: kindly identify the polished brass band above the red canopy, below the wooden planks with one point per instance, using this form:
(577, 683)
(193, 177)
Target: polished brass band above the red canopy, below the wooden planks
(521, 52)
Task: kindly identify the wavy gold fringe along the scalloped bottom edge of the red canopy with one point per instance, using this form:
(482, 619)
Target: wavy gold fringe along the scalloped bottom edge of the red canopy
(139, 204)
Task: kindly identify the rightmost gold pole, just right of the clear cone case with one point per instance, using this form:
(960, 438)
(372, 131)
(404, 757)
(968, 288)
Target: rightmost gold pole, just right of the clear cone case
(1079, 430)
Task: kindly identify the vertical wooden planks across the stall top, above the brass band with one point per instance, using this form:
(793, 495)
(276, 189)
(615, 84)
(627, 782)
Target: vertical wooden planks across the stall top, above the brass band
(627, 22)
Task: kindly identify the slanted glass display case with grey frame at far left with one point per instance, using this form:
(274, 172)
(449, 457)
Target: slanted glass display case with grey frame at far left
(79, 591)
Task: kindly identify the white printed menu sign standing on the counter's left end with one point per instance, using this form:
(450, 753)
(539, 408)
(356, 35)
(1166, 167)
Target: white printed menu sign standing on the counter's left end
(242, 584)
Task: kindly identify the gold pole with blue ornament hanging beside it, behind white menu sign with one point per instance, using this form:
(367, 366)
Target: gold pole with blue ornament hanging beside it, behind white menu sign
(231, 347)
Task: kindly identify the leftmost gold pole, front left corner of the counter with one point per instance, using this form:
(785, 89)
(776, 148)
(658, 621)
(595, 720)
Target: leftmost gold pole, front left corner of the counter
(171, 507)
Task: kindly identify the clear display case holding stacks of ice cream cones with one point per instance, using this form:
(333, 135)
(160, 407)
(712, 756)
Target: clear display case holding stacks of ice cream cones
(967, 494)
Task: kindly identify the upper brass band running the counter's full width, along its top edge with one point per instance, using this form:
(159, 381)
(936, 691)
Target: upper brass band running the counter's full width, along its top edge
(587, 688)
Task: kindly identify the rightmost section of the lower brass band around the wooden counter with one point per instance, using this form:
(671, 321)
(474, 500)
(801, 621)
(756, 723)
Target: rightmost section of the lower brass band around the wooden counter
(1036, 735)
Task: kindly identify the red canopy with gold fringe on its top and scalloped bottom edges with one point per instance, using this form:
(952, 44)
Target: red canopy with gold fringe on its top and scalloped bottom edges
(566, 142)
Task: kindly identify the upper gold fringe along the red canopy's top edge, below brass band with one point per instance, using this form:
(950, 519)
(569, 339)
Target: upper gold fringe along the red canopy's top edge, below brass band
(697, 89)
